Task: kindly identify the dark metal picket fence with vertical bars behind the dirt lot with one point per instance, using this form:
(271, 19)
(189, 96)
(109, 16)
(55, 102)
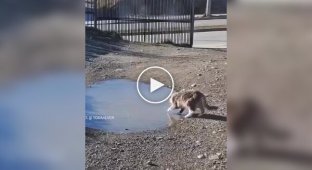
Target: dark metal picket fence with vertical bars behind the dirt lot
(150, 21)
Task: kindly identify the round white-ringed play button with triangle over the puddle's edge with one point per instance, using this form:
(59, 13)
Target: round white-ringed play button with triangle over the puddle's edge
(160, 85)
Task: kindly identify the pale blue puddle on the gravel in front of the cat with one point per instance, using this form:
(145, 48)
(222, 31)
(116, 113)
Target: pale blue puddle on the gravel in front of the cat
(115, 106)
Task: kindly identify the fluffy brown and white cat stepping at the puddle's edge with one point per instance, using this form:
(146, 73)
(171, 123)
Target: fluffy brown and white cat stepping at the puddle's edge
(190, 100)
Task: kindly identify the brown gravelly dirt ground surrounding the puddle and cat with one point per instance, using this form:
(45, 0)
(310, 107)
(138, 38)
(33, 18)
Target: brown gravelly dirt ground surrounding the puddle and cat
(193, 143)
